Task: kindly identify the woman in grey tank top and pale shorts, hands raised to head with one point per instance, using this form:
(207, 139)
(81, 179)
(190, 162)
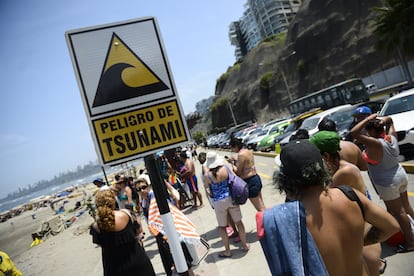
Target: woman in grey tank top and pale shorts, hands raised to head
(388, 176)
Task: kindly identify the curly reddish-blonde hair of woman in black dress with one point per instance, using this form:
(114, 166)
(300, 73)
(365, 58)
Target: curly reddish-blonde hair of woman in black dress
(105, 203)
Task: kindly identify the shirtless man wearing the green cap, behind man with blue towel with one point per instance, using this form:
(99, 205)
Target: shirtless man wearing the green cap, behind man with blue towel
(345, 173)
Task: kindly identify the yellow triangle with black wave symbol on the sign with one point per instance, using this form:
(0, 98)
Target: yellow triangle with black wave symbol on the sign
(125, 76)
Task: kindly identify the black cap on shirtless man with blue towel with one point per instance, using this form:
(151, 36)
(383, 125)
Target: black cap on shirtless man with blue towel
(298, 154)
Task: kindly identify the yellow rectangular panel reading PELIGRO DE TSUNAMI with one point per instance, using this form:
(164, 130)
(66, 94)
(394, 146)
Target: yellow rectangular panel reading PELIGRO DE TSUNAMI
(139, 131)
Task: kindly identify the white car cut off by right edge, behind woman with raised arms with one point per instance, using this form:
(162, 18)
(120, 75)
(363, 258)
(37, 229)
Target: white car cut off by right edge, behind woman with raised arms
(401, 109)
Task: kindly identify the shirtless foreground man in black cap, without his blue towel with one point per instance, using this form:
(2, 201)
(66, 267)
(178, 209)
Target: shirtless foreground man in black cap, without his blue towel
(336, 223)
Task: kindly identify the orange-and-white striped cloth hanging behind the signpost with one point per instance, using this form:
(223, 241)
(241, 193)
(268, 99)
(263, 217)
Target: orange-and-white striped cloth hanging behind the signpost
(183, 225)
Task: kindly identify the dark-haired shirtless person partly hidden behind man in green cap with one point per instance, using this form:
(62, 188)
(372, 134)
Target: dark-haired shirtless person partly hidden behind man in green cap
(349, 151)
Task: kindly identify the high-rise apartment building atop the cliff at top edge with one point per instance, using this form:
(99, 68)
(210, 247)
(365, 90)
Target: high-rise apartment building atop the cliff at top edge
(261, 18)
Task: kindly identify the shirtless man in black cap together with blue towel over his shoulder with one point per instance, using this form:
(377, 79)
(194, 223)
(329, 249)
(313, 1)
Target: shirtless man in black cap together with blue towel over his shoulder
(334, 221)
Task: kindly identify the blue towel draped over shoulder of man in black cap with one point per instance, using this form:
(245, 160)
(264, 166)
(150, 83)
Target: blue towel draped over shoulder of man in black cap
(286, 242)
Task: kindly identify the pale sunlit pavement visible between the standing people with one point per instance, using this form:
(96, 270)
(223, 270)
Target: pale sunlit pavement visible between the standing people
(253, 262)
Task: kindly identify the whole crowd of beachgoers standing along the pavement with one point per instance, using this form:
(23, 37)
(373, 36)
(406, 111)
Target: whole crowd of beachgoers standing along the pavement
(327, 226)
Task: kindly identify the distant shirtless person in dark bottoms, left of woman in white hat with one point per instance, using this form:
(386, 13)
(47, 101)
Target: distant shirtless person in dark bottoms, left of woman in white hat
(188, 173)
